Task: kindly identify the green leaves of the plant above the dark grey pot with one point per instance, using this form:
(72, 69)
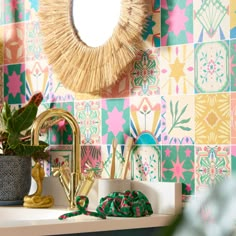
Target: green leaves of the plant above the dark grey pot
(15, 127)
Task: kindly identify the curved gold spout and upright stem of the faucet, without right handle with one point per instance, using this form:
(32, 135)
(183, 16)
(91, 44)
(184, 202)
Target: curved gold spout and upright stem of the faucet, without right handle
(70, 187)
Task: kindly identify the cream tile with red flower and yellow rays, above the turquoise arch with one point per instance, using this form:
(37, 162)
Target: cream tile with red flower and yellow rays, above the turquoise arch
(145, 116)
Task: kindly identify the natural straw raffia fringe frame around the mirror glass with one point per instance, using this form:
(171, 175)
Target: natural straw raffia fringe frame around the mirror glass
(86, 69)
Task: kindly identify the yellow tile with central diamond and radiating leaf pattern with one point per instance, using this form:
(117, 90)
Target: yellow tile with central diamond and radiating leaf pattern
(212, 119)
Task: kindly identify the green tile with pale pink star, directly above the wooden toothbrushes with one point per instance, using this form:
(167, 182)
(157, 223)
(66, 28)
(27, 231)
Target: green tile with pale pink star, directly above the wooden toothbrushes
(115, 120)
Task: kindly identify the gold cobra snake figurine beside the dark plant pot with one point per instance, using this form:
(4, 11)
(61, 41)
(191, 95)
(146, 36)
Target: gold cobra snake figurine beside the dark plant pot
(36, 200)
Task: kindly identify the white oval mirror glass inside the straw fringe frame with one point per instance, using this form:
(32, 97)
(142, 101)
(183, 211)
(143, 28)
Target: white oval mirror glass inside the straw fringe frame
(95, 20)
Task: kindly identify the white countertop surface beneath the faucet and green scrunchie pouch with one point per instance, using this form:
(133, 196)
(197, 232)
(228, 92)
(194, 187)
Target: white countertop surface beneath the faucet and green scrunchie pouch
(32, 222)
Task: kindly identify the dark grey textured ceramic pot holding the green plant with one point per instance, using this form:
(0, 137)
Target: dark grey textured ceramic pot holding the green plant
(15, 179)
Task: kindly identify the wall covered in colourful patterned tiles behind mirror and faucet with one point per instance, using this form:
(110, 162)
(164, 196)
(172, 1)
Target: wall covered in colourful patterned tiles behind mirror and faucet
(178, 96)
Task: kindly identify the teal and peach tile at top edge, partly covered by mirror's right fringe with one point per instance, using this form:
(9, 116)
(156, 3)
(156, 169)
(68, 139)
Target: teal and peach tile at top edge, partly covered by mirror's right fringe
(152, 30)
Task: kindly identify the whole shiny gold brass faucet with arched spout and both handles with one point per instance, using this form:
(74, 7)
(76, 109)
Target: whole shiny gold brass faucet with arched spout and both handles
(73, 183)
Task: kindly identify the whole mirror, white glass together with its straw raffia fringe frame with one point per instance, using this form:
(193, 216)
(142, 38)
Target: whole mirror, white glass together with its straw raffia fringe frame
(89, 69)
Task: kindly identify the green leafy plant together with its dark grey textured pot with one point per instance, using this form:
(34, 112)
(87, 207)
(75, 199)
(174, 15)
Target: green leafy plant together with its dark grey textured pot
(17, 151)
